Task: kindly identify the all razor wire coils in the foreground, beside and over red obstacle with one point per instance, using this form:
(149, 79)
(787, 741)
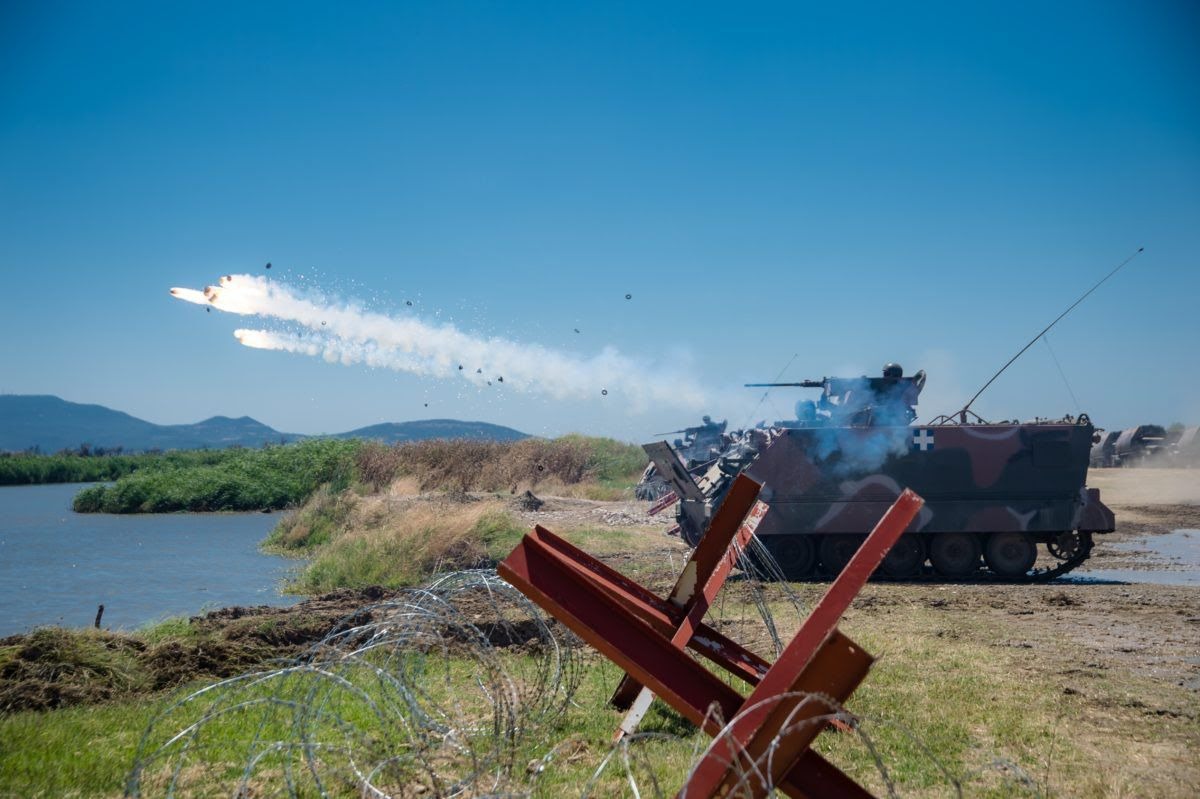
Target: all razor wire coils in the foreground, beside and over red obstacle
(446, 690)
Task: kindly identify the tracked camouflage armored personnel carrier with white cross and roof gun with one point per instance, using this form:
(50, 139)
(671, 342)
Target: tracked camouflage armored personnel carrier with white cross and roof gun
(1003, 501)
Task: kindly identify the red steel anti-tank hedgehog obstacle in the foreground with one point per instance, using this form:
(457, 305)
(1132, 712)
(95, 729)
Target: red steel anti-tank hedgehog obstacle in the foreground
(767, 743)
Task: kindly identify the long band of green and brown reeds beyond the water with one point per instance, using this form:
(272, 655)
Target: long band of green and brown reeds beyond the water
(285, 477)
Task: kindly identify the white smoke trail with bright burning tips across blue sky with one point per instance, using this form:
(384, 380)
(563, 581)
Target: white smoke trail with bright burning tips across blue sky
(346, 334)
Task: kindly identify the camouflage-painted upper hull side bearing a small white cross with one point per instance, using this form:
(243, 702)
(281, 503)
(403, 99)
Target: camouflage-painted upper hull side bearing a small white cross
(975, 478)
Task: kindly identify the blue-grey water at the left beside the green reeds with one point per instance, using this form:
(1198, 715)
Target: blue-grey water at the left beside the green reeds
(57, 566)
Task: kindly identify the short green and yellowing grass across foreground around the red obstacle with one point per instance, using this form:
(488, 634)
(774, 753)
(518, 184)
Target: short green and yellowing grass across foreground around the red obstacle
(944, 707)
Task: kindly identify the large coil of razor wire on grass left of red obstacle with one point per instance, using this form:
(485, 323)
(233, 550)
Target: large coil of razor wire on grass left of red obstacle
(431, 694)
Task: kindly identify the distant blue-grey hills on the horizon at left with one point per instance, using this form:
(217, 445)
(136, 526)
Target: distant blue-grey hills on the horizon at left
(52, 424)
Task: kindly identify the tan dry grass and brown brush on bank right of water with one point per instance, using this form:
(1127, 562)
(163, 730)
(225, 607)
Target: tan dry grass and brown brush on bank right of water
(405, 532)
